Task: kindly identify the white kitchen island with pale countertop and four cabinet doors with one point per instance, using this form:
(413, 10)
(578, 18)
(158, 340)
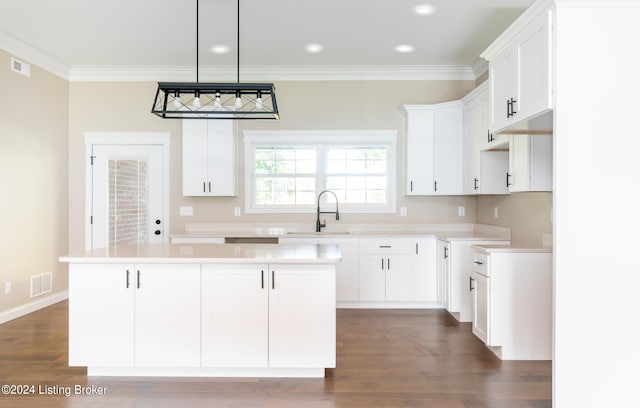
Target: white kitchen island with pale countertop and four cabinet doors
(202, 310)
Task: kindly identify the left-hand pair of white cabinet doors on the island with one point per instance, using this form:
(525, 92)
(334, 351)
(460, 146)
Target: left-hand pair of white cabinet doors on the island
(119, 315)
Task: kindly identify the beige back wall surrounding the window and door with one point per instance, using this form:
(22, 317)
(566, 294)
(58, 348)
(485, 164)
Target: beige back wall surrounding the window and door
(303, 105)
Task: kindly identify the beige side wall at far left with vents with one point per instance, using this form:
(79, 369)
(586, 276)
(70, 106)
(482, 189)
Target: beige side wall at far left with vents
(33, 180)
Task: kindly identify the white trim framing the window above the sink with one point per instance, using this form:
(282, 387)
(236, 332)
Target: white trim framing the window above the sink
(319, 138)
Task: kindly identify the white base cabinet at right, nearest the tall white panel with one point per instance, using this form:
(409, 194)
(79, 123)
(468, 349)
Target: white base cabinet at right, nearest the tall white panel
(512, 305)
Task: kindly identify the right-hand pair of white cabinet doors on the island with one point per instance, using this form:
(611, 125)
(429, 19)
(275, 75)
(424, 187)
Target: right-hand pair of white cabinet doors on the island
(268, 316)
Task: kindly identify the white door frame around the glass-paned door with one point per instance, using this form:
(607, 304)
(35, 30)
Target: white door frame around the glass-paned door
(124, 138)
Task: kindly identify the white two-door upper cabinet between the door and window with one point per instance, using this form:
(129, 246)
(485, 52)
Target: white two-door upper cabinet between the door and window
(208, 158)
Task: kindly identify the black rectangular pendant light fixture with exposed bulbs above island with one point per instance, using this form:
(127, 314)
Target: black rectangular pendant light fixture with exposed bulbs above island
(204, 100)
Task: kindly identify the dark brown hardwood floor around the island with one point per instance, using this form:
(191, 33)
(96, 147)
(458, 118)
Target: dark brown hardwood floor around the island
(385, 358)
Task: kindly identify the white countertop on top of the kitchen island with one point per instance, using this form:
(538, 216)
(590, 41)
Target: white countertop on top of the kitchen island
(210, 253)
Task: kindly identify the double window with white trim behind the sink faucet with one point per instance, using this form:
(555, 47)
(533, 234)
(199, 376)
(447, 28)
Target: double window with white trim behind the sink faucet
(285, 171)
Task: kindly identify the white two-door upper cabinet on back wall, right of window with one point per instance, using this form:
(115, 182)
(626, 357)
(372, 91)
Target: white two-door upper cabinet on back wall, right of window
(434, 149)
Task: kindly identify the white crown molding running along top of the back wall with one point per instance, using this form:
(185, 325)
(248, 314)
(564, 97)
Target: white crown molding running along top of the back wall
(271, 73)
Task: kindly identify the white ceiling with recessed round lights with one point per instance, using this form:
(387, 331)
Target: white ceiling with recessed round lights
(354, 34)
